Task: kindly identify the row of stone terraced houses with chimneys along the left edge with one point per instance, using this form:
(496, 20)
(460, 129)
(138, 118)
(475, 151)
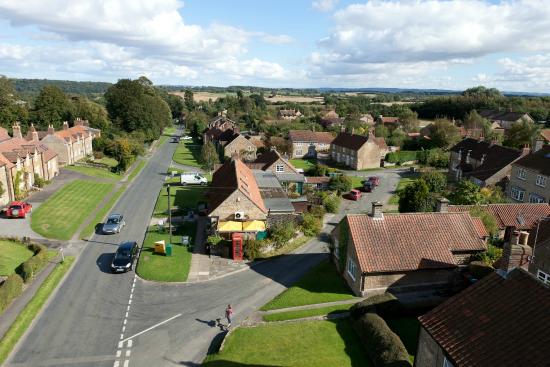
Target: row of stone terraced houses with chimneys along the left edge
(39, 154)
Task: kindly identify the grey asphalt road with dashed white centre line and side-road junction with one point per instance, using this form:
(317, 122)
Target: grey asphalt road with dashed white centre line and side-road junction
(103, 319)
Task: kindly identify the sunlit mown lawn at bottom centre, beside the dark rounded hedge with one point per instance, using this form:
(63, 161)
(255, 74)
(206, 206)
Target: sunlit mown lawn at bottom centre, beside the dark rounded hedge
(310, 343)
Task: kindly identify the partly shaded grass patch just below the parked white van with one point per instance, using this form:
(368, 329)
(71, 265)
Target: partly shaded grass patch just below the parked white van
(180, 196)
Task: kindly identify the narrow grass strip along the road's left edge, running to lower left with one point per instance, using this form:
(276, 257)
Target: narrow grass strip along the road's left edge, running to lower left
(30, 311)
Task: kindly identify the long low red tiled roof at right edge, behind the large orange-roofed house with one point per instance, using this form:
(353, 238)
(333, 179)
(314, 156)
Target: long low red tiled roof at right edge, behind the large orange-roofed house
(520, 216)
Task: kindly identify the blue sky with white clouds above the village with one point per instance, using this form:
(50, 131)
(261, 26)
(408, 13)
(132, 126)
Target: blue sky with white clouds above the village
(283, 43)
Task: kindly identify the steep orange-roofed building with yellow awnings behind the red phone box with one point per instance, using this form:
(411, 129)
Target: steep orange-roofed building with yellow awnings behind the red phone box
(234, 201)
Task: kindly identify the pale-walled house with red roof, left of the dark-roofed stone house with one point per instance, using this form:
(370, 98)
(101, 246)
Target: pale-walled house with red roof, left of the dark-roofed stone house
(309, 144)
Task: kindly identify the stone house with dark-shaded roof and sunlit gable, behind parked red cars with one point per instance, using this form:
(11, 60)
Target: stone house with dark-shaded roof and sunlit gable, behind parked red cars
(357, 151)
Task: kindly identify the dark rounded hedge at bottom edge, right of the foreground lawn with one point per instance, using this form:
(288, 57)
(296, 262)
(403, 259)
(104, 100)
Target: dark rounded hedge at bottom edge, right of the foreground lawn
(383, 346)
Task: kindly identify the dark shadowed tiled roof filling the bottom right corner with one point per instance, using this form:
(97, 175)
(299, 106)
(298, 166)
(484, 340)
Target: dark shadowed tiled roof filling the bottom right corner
(495, 322)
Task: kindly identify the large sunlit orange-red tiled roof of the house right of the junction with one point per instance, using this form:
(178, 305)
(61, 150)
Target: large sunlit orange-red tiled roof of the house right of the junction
(411, 241)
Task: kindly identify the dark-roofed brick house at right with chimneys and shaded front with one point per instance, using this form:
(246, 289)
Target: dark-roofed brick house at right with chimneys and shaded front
(484, 163)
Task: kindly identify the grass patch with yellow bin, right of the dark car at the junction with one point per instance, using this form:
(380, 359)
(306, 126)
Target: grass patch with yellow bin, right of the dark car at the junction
(173, 268)
